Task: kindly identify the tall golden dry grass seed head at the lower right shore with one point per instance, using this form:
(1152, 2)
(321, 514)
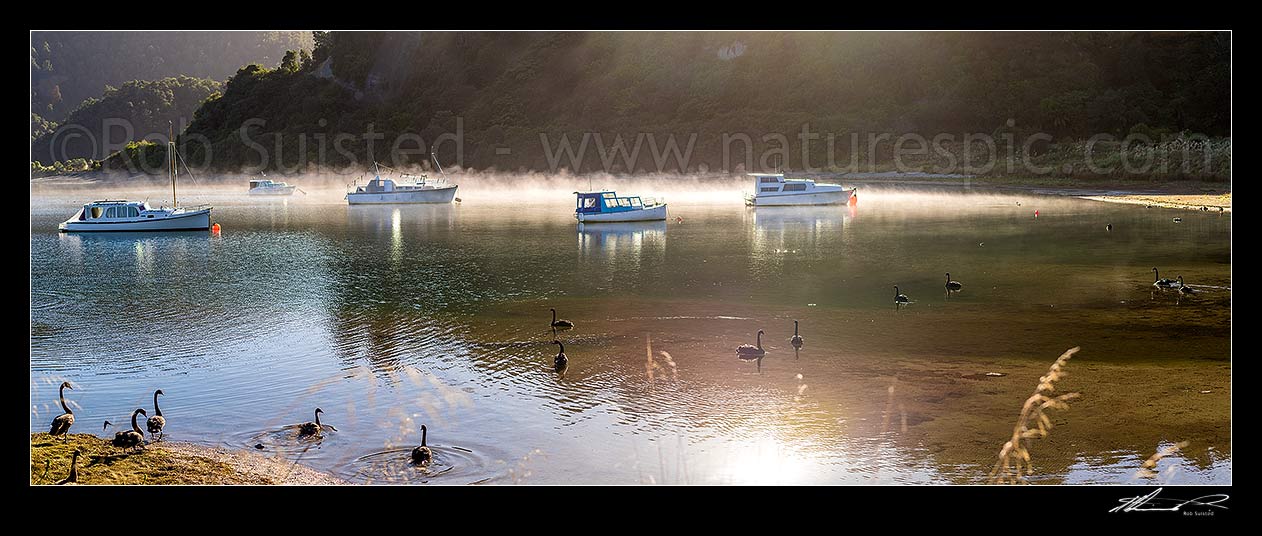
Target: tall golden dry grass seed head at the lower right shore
(1014, 463)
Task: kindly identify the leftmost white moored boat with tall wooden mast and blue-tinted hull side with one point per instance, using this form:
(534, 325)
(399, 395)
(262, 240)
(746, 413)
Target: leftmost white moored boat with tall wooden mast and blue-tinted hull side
(121, 215)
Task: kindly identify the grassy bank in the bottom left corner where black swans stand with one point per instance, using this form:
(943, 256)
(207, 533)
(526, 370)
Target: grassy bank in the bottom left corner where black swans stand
(160, 463)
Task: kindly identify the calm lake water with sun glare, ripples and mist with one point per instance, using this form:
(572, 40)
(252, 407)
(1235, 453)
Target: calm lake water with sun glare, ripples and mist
(394, 317)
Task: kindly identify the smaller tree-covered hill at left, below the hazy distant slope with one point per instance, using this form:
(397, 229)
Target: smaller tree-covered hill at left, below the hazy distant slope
(132, 112)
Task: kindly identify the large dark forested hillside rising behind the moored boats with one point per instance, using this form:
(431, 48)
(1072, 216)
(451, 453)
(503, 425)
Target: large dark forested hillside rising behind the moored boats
(508, 89)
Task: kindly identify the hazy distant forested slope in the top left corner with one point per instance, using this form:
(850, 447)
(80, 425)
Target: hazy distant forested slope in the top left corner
(69, 67)
